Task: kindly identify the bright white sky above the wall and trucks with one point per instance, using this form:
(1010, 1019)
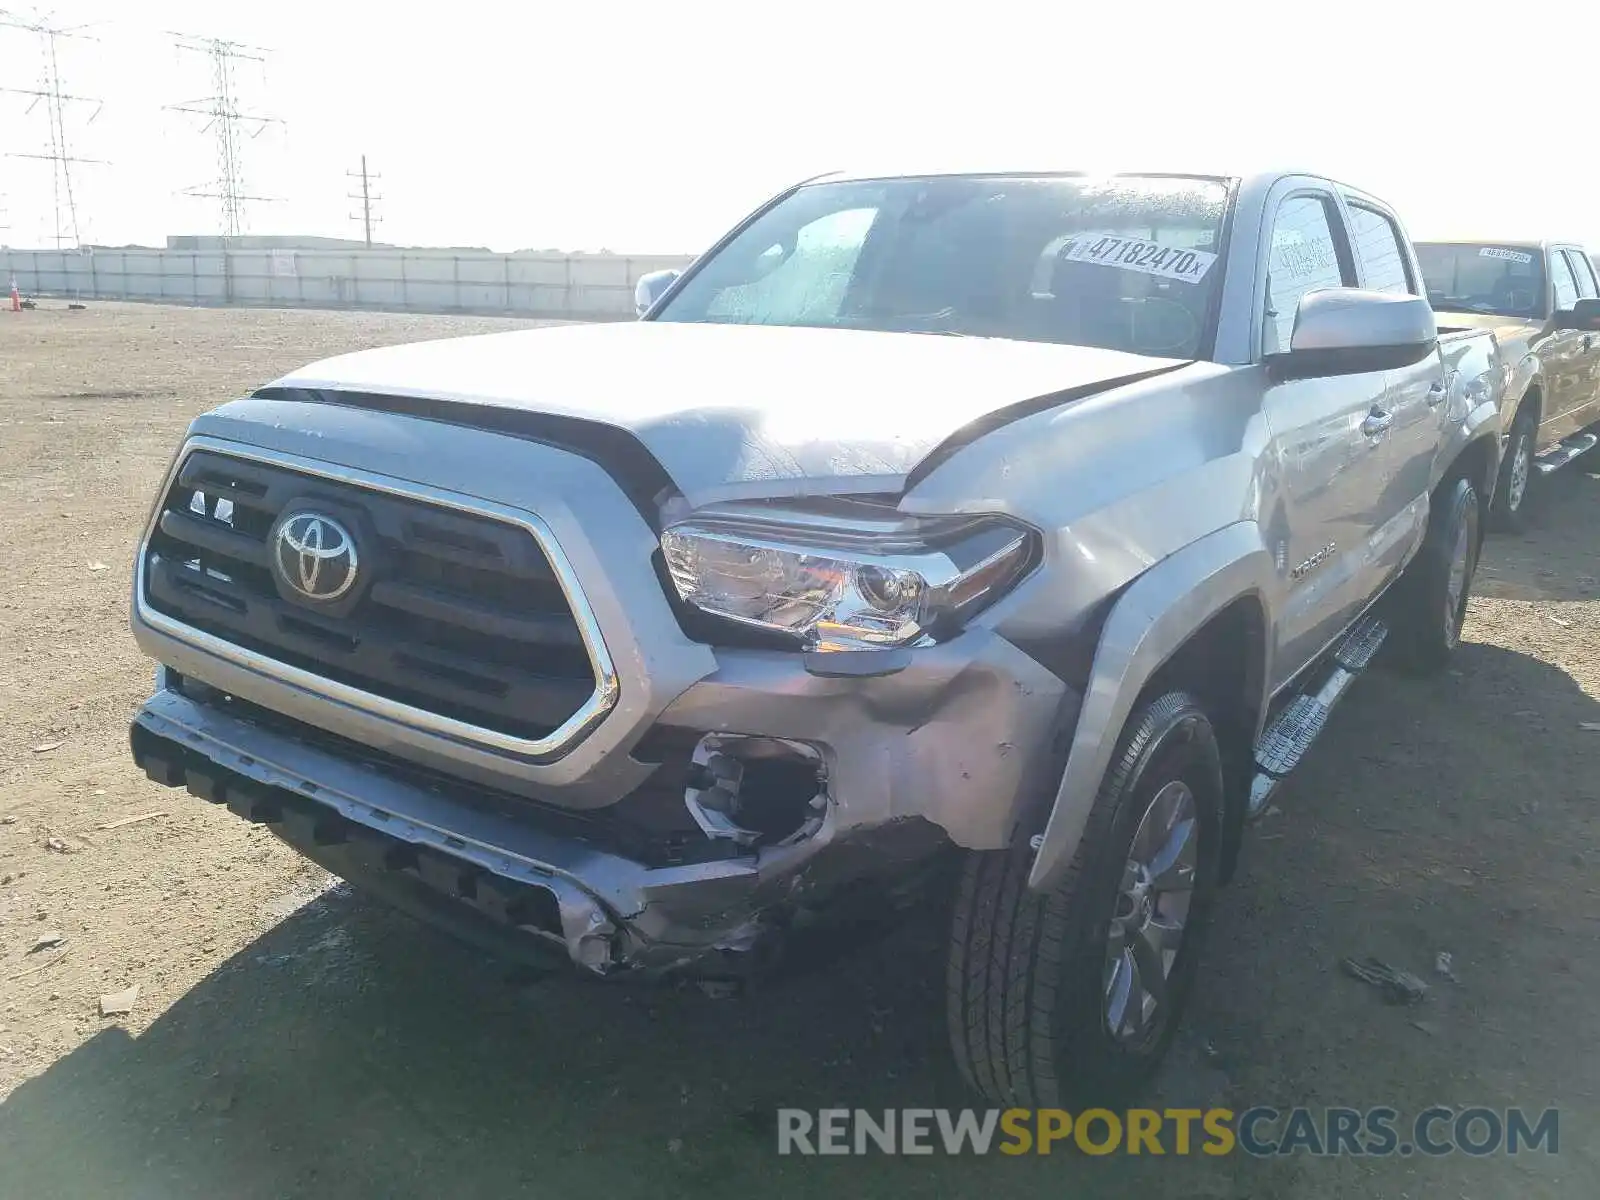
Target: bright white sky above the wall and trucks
(654, 127)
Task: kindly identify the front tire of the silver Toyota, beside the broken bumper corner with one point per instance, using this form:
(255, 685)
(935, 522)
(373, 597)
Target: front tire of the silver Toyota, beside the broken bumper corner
(1030, 998)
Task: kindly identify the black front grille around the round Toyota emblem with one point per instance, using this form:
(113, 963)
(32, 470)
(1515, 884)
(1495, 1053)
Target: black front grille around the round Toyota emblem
(457, 614)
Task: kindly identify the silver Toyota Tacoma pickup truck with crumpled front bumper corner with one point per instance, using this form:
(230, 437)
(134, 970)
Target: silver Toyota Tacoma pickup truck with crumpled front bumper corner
(998, 542)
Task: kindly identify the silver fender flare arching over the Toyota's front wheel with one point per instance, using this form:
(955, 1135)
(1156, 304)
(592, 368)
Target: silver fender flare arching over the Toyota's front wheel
(1148, 625)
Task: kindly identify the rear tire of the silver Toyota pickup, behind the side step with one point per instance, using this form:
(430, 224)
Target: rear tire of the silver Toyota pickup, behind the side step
(1431, 601)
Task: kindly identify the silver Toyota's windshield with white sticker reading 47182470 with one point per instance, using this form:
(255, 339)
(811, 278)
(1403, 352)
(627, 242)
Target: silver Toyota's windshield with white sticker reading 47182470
(1127, 263)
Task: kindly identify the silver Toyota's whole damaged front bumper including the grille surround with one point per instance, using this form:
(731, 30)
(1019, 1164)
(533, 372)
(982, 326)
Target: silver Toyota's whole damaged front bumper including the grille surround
(726, 794)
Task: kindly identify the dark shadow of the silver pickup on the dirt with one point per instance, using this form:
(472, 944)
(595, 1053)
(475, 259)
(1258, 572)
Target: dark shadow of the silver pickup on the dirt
(351, 1054)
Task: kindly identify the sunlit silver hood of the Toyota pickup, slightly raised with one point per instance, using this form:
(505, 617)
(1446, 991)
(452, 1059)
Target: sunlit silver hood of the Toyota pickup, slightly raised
(740, 410)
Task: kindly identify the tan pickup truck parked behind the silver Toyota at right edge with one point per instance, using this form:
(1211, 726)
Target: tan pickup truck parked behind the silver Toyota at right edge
(1543, 303)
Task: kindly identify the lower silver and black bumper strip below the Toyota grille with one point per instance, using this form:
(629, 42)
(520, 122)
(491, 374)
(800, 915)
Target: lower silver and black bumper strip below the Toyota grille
(492, 879)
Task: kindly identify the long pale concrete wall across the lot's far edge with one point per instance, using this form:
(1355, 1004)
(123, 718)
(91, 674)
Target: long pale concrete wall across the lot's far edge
(585, 287)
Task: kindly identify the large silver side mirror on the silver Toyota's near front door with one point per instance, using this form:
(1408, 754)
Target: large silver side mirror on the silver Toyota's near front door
(1353, 332)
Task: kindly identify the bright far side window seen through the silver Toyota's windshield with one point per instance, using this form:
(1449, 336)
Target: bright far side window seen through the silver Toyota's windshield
(809, 282)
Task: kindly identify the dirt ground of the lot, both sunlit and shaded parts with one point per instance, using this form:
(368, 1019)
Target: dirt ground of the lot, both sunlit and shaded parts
(290, 1039)
